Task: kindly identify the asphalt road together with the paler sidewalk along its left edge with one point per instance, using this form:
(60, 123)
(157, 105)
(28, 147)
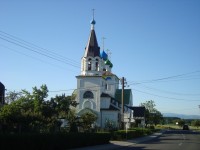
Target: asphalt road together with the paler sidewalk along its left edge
(167, 140)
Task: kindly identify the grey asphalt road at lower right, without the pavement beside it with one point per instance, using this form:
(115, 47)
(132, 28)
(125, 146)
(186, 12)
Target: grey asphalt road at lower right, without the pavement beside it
(170, 140)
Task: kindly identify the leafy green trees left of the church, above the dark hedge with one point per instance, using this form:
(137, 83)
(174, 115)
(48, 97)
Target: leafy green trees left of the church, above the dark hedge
(26, 112)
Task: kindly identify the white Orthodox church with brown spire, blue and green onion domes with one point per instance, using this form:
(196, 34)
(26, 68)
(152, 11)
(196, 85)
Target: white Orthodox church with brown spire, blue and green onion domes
(98, 88)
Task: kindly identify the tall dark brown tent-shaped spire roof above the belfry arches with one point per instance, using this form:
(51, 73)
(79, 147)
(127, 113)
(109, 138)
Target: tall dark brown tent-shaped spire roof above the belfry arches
(92, 49)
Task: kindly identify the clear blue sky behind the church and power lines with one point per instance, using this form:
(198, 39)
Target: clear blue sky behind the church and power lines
(154, 44)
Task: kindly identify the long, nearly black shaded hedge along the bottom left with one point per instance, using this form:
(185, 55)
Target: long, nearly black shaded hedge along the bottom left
(52, 141)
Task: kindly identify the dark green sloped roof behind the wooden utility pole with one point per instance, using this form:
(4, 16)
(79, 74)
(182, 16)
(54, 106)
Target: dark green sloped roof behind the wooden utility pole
(127, 96)
